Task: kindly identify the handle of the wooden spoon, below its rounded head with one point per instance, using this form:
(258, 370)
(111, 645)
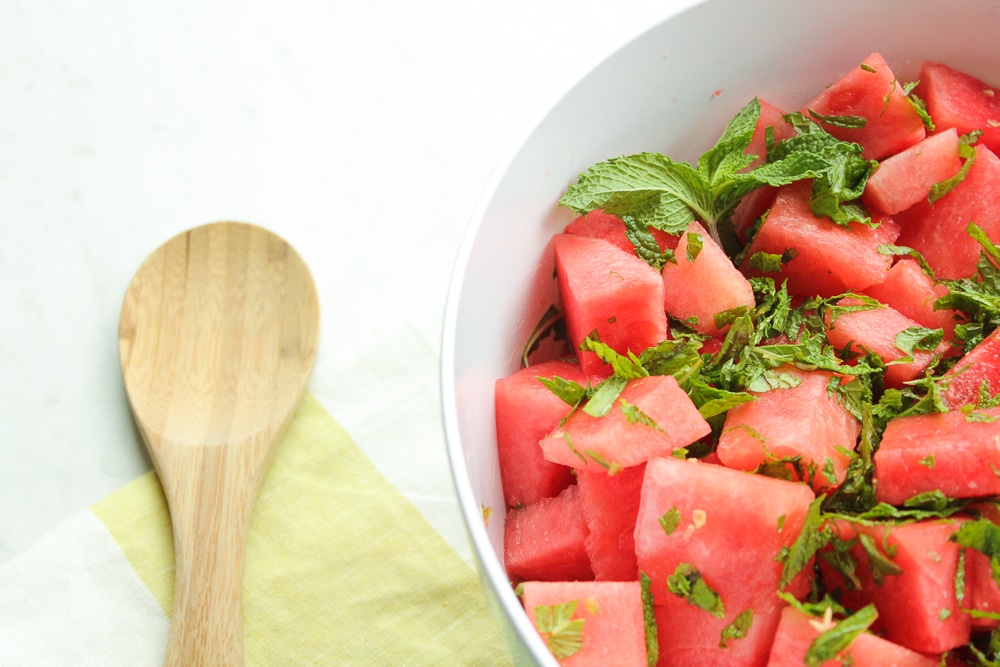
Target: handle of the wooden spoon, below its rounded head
(210, 491)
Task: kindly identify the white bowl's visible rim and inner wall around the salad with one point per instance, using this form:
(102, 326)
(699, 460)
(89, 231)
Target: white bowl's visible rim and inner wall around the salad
(671, 90)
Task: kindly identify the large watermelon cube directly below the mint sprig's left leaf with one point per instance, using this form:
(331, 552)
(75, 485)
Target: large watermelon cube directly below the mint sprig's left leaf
(610, 291)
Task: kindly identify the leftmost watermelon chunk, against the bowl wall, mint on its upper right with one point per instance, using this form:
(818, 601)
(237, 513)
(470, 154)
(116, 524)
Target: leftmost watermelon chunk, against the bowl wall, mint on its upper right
(526, 411)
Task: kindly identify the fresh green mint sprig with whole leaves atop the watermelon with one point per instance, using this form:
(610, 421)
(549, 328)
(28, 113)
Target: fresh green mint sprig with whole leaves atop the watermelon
(653, 191)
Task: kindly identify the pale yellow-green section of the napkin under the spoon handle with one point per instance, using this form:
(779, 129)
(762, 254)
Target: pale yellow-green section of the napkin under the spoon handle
(340, 568)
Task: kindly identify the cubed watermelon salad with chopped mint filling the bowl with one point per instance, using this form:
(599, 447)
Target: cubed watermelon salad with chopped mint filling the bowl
(760, 423)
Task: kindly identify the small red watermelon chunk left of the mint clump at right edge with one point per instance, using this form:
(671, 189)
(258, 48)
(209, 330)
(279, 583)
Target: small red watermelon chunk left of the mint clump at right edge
(912, 292)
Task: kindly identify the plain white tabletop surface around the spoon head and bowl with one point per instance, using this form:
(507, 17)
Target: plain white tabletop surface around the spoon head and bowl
(361, 130)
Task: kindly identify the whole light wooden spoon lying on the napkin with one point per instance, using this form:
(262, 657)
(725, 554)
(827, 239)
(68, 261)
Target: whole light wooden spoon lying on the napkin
(217, 339)
